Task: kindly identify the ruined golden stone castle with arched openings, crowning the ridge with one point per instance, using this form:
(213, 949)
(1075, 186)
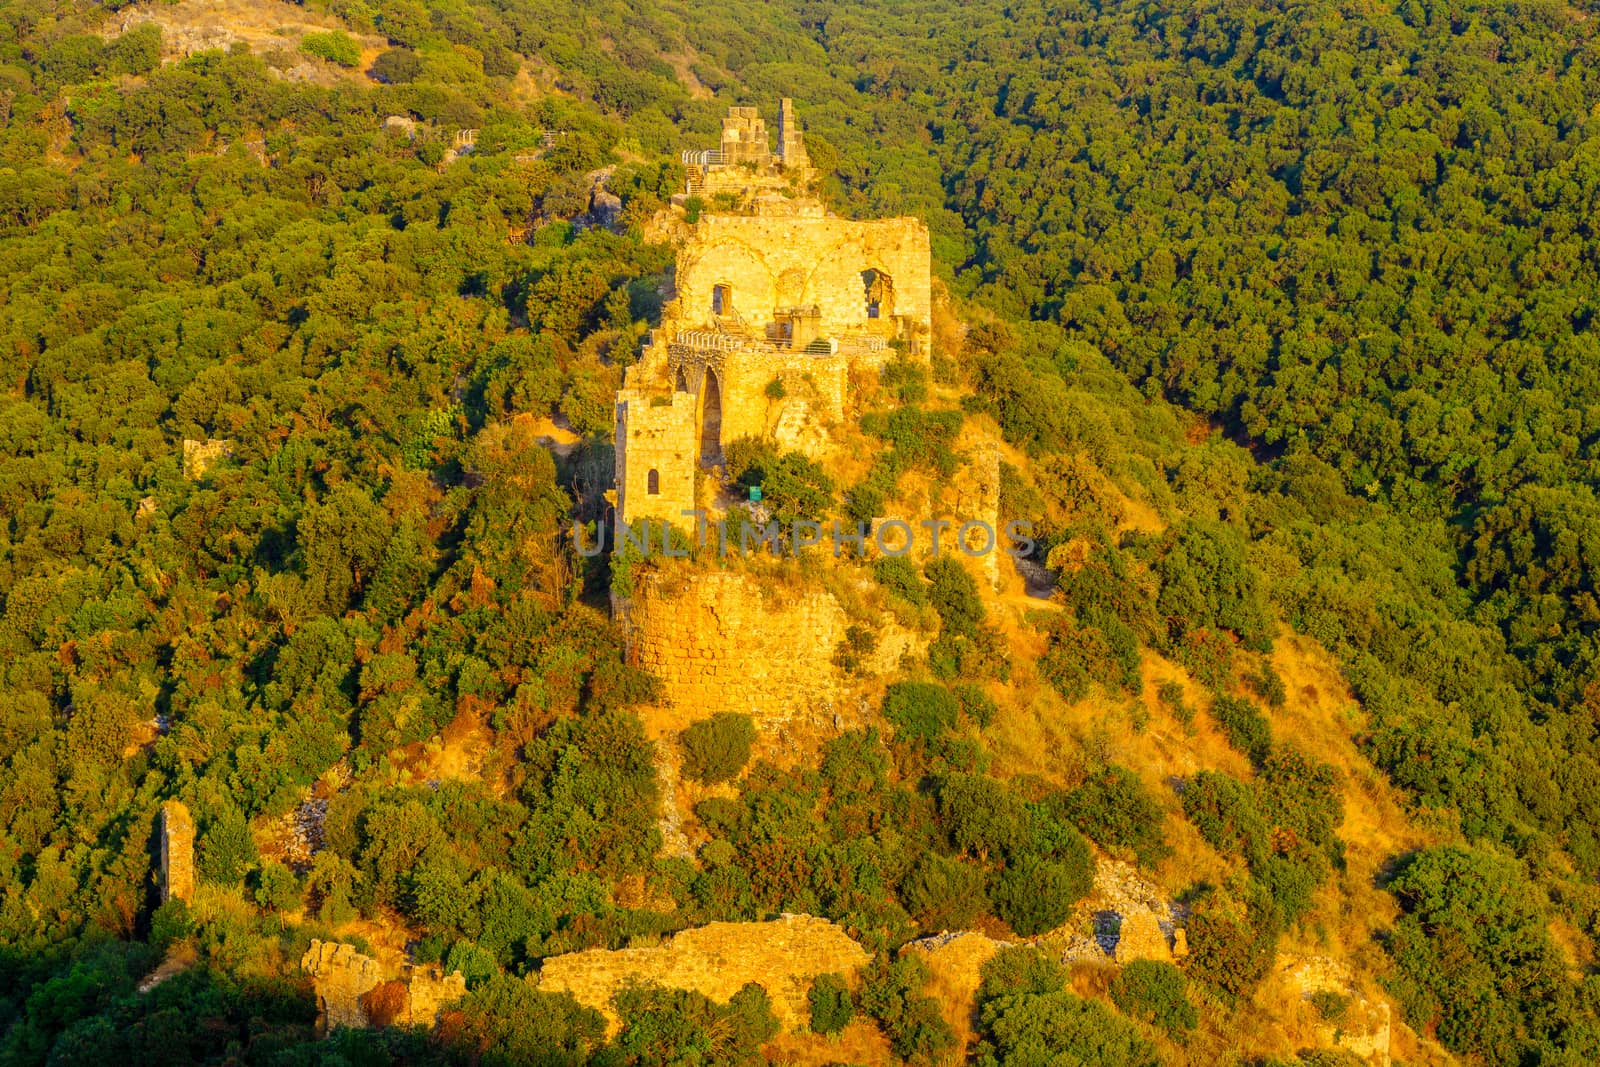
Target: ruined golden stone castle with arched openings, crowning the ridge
(777, 305)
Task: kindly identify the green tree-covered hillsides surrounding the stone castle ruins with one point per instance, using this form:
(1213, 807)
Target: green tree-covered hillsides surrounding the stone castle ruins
(1308, 284)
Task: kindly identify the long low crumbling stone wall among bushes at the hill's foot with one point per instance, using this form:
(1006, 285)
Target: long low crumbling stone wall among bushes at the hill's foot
(718, 961)
